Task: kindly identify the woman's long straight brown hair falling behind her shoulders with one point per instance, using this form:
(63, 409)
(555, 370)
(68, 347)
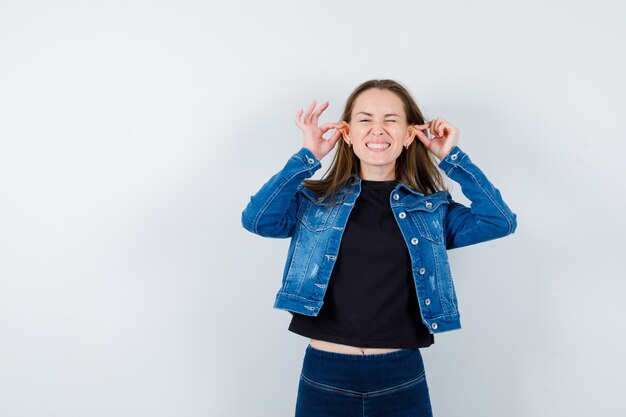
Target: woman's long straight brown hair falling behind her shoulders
(415, 167)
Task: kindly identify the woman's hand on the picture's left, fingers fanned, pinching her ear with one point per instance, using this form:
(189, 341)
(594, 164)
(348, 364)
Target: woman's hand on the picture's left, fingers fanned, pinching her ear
(313, 134)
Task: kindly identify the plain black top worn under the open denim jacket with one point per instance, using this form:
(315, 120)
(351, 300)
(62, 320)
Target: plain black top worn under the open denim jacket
(370, 300)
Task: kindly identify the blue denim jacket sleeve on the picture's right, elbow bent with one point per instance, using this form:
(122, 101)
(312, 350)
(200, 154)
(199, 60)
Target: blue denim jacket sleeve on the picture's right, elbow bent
(488, 216)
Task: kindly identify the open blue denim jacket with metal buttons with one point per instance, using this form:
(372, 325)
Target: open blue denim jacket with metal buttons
(430, 224)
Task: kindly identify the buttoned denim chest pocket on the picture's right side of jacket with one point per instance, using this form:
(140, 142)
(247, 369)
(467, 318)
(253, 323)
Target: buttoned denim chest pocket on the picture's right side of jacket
(428, 215)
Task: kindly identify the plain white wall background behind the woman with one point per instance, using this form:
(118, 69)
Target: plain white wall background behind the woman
(132, 134)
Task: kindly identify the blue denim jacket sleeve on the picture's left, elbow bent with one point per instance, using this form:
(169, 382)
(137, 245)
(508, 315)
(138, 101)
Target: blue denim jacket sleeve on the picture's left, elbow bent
(271, 212)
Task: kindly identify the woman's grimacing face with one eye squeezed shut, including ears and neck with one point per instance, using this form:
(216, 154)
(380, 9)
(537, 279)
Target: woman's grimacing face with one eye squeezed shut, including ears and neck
(378, 130)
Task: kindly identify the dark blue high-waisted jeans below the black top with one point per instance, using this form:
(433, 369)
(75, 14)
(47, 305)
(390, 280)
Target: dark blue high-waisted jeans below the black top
(389, 384)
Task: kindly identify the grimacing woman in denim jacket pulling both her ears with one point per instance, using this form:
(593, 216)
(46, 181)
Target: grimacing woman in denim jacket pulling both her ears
(367, 277)
